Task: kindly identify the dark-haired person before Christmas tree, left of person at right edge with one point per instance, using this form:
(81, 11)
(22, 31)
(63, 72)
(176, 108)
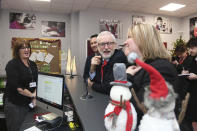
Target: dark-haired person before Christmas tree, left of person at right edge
(182, 60)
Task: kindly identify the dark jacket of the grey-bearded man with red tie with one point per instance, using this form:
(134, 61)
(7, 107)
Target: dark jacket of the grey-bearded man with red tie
(104, 86)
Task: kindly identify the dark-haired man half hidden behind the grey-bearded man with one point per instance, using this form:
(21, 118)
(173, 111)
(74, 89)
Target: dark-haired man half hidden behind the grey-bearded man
(93, 44)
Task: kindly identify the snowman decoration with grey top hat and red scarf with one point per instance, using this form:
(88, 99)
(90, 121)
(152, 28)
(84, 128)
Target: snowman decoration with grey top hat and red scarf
(120, 114)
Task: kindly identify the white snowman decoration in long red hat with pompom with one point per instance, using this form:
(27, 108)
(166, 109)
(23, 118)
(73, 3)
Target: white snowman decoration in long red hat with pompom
(159, 99)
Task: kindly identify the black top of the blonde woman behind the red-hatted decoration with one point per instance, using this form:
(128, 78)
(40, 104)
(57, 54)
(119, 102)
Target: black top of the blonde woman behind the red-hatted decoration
(141, 79)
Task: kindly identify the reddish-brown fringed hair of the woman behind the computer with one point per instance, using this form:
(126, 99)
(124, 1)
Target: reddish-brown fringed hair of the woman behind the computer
(18, 45)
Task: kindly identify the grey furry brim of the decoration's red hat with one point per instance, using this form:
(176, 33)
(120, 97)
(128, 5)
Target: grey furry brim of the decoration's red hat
(159, 103)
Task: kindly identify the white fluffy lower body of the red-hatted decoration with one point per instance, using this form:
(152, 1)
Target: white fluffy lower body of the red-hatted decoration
(149, 123)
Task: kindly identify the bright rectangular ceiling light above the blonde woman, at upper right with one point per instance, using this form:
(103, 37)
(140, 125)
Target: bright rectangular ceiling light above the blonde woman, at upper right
(172, 7)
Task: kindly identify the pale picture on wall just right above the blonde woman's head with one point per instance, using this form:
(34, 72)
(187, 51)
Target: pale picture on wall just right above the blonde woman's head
(163, 25)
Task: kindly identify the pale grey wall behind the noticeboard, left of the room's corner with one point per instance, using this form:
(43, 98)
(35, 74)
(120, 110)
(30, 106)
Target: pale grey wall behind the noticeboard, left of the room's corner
(7, 34)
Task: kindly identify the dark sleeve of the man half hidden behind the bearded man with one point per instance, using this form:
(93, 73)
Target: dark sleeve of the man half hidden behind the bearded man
(87, 68)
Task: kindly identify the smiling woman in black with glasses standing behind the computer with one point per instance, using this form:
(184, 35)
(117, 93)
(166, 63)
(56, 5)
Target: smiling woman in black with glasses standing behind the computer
(20, 88)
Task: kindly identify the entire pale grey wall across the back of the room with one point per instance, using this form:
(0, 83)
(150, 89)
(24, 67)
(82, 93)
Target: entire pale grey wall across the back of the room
(79, 27)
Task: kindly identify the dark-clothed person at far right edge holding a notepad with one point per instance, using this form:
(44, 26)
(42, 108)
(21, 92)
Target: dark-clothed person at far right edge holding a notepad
(191, 114)
